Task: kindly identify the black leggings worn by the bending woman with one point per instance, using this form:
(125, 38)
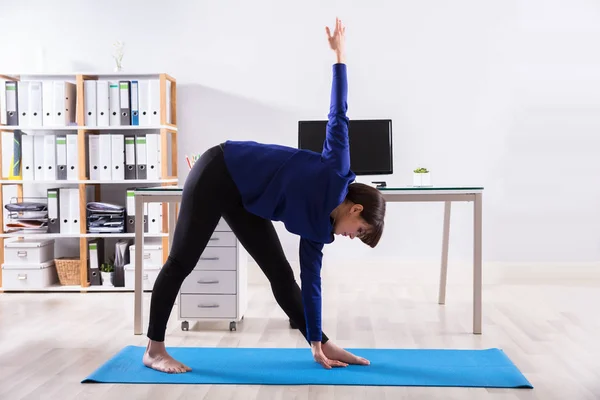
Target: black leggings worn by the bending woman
(209, 193)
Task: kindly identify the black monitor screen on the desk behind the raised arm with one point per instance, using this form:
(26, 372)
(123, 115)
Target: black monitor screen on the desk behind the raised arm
(370, 144)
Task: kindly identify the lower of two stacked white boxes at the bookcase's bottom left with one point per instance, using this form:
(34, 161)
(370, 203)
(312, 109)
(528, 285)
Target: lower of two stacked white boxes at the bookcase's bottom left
(28, 276)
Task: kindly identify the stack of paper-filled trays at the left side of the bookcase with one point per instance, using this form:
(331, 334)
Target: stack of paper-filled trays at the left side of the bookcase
(30, 217)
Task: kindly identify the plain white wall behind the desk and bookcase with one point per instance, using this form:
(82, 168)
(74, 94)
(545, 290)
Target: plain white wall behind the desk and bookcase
(500, 94)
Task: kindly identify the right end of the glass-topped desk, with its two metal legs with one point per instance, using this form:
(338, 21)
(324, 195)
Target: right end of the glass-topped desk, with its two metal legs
(448, 195)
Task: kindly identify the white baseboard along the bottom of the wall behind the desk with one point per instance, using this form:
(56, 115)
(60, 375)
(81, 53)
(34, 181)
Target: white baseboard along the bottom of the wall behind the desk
(458, 273)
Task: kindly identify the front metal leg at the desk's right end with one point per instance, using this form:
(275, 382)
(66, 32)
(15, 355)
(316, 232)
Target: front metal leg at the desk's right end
(477, 274)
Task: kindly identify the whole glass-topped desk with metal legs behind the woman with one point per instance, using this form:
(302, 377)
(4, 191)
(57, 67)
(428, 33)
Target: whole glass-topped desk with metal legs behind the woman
(172, 195)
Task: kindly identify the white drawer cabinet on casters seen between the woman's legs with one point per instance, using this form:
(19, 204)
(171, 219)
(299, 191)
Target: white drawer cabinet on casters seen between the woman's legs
(217, 287)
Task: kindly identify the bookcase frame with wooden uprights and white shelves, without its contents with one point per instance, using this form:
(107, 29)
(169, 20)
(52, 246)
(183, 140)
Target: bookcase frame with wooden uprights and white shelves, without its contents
(167, 129)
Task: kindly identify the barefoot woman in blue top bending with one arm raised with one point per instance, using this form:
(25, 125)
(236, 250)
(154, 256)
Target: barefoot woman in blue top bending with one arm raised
(251, 184)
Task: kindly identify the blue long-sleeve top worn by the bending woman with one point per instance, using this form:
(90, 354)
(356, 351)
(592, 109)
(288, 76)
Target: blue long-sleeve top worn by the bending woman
(300, 188)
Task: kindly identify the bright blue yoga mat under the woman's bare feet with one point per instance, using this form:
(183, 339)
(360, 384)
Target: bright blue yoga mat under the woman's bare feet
(489, 368)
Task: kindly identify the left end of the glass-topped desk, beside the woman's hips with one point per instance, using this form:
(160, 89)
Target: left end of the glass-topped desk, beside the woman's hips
(162, 194)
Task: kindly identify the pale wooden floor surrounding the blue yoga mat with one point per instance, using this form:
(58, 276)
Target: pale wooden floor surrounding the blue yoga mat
(51, 341)
